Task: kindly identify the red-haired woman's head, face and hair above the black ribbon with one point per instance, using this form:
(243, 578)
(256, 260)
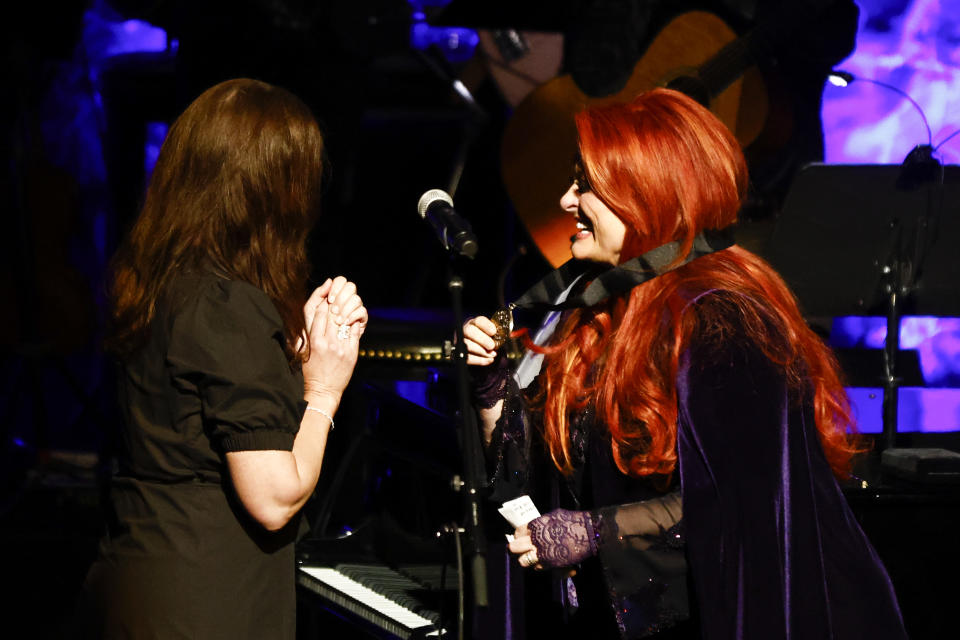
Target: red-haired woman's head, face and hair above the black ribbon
(658, 169)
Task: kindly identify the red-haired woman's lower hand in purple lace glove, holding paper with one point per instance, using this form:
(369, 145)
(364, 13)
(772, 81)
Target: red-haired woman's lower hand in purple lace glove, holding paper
(560, 538)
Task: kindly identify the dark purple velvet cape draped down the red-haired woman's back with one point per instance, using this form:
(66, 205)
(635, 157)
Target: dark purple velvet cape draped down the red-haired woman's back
(774, 548)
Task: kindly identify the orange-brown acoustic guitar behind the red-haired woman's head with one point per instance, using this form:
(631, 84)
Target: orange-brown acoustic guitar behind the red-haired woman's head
(696, 52)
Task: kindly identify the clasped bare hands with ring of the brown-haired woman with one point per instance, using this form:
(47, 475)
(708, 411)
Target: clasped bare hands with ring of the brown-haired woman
(333, 351)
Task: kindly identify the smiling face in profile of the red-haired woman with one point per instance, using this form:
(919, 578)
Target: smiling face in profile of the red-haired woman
(600, 232)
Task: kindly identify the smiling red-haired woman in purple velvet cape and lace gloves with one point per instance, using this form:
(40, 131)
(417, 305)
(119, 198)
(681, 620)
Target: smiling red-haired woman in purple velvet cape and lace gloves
(685, 424)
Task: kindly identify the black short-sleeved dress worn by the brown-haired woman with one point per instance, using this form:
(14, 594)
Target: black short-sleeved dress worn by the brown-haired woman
(181, 557)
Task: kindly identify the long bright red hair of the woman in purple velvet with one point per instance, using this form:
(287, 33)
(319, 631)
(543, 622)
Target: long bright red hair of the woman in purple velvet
(670, 169)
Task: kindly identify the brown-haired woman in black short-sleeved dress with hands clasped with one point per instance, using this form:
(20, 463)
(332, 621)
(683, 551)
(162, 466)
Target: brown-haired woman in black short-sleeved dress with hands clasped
(228, 382)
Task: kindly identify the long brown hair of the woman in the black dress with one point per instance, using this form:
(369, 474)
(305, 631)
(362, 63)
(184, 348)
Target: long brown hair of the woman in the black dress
(237, 188)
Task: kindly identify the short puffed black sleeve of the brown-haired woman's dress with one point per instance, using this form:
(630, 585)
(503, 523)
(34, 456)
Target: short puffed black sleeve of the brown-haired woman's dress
(226, 344)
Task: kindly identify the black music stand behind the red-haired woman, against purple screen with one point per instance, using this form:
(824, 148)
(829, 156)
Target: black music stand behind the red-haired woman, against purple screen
(862, 240)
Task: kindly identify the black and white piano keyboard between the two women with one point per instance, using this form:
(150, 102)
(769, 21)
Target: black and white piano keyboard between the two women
(375, 593)
